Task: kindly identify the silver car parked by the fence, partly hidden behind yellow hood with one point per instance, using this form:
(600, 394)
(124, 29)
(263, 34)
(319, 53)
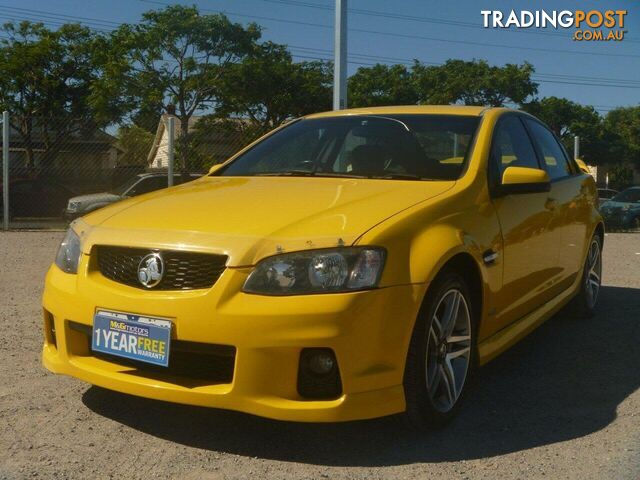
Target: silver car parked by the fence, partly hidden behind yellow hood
(142, 183)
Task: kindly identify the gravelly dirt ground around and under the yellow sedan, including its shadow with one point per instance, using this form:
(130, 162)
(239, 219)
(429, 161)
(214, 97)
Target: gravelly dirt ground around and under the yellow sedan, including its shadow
(564, 403)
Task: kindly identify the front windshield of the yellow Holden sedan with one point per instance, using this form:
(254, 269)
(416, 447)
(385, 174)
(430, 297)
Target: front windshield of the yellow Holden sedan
(405, 147)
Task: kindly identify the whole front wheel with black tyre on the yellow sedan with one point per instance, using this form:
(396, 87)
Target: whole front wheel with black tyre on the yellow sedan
(441, 354)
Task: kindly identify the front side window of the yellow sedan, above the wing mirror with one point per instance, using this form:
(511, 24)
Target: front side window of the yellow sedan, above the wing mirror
(511, 147)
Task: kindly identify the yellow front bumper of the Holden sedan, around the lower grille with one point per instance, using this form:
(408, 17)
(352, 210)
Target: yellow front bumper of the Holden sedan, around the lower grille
(368, 331)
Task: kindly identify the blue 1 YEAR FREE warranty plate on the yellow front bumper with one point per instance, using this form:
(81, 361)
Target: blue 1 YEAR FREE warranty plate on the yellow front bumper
(136, 337)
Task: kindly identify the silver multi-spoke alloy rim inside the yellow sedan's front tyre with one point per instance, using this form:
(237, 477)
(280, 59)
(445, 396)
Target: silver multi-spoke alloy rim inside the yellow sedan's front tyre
(448, 350)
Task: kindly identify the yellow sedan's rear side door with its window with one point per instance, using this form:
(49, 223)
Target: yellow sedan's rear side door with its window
(568, 201)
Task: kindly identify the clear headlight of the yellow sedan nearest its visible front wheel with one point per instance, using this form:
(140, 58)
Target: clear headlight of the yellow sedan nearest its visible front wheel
(317, 271)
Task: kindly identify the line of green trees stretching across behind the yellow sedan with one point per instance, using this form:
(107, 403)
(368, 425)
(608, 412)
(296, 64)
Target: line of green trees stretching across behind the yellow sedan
(57, 84)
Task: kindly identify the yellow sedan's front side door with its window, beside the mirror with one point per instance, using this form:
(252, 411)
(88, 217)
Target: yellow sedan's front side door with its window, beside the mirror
(529, 254)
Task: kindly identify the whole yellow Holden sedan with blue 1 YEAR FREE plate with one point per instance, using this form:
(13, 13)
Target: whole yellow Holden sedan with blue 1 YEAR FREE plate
(348, 265)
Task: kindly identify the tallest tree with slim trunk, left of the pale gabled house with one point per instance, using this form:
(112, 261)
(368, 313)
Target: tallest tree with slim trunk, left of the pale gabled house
(175, 56)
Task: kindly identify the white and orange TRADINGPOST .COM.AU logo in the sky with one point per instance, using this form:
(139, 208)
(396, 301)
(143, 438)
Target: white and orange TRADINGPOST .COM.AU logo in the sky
(592, 25)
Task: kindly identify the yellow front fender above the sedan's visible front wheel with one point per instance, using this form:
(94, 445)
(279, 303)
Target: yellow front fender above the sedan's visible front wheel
(420, 242)
